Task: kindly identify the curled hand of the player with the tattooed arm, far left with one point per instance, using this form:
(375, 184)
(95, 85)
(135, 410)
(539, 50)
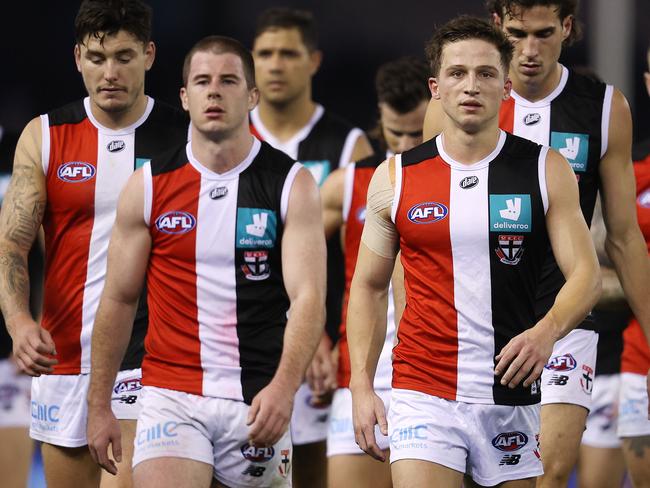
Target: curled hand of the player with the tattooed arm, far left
(33, 347)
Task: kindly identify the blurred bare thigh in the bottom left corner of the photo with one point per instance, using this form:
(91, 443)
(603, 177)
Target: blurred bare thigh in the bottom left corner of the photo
(15, 456)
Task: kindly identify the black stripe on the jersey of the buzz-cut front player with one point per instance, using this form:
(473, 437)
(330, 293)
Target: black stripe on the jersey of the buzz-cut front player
(261, 305)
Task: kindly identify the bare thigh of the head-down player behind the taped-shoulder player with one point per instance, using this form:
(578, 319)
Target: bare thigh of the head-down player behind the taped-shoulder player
(359, 470)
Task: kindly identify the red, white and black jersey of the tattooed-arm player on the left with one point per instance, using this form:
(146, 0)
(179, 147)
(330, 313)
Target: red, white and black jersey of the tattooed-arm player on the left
(86, 165)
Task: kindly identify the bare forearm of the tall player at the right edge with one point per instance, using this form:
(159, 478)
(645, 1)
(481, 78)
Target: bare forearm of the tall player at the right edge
(630, 258)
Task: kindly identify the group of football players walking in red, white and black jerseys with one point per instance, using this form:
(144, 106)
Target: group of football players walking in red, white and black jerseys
(202, 241)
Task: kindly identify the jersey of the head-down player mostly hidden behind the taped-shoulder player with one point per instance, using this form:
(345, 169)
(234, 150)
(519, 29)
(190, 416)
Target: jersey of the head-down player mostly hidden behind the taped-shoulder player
(357, 180)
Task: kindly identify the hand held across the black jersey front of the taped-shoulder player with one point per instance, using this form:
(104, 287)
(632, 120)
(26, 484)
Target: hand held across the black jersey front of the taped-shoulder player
(524, 357)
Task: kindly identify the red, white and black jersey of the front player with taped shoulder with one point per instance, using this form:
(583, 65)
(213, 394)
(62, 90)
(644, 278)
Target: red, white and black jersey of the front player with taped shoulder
(473, 240)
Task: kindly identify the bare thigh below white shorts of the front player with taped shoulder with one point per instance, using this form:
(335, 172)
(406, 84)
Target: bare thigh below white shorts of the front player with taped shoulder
(412, 473)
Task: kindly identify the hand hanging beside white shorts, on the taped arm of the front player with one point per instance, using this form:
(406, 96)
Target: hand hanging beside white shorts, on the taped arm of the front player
(367, 411)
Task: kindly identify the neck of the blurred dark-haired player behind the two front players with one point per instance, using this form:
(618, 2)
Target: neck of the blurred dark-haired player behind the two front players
(285, 120)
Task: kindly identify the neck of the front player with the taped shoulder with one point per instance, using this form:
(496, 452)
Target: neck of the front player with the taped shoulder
(467, 148)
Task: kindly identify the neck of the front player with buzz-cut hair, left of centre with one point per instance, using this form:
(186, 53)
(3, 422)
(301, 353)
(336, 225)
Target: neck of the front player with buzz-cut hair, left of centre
(223, 154)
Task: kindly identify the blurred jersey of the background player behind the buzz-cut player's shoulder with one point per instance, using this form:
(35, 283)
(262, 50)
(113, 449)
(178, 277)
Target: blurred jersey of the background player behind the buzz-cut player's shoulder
(324, 144)
